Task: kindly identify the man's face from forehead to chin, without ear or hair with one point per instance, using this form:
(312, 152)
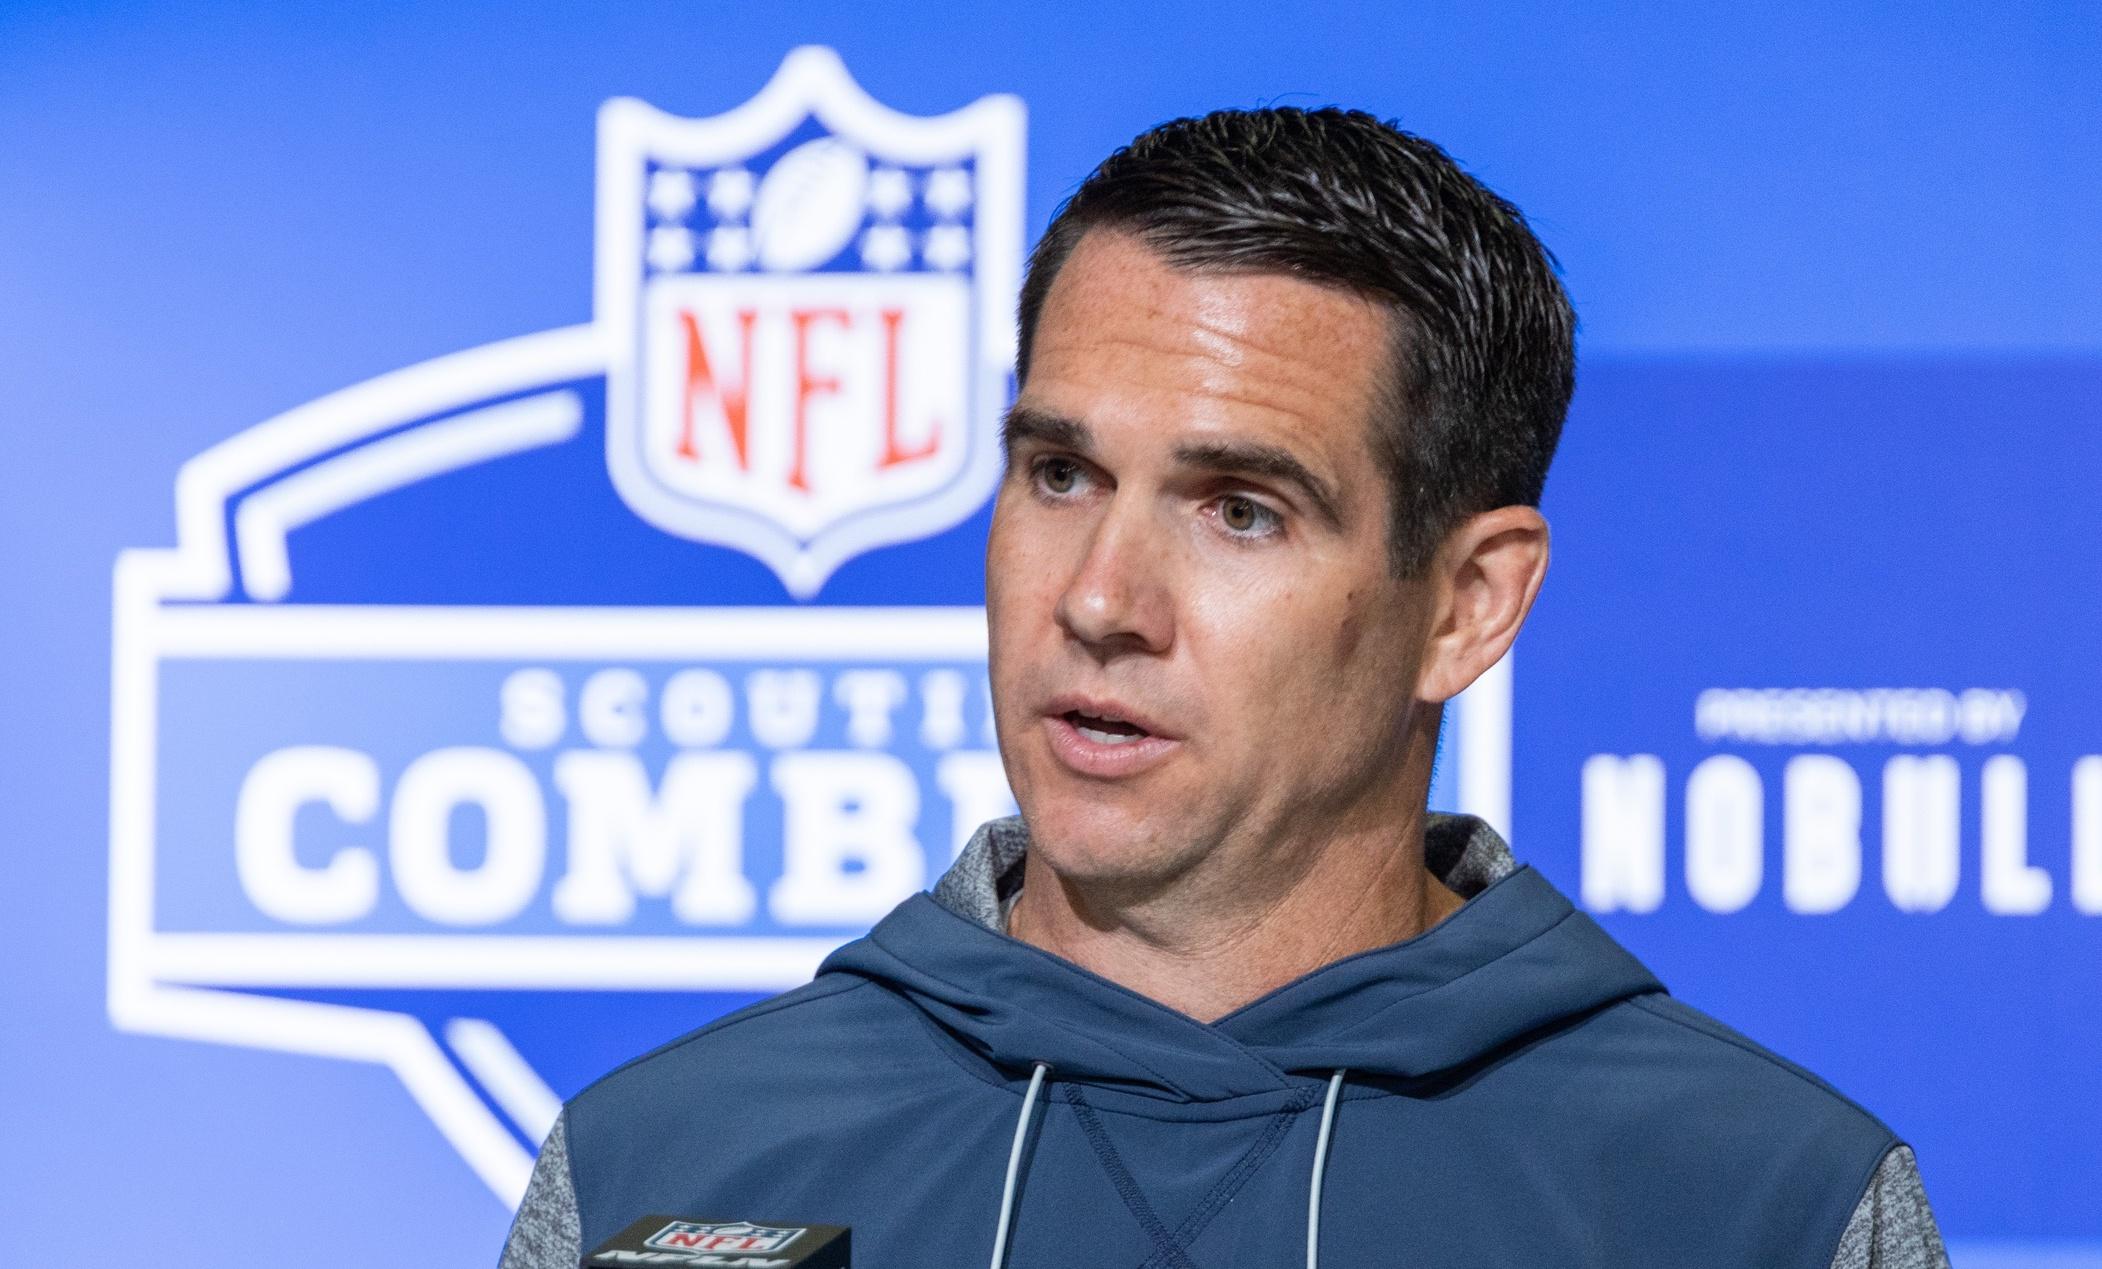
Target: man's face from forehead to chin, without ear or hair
(1201, 652)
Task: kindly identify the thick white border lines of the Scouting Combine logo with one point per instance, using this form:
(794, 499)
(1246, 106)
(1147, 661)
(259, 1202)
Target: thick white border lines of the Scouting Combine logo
(331, 455)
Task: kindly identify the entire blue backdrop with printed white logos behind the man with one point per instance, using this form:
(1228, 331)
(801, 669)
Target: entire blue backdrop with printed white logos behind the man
(1807, 711)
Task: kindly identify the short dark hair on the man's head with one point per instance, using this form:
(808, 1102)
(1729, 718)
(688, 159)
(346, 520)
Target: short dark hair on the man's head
(1483, 331)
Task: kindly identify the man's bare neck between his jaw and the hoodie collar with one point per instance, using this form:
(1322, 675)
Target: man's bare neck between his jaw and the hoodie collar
(1210, 957)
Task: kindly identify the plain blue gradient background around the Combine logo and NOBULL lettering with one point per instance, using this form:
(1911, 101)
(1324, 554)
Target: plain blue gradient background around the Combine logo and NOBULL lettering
(1842, 291)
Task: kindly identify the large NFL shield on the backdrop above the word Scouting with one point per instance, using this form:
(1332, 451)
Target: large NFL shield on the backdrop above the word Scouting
(808, 316)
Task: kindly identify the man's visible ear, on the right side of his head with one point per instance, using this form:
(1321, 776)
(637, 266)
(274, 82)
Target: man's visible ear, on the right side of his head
(1483, 587)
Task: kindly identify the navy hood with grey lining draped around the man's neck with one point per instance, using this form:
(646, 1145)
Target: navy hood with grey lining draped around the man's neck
(1514, 959)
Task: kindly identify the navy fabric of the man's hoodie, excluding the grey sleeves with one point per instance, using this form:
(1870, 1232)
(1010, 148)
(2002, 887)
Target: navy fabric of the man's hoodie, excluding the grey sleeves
(1517, 1091)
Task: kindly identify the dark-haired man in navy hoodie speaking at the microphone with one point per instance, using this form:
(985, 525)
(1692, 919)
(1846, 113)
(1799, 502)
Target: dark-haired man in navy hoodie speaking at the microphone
(1224, 995)
